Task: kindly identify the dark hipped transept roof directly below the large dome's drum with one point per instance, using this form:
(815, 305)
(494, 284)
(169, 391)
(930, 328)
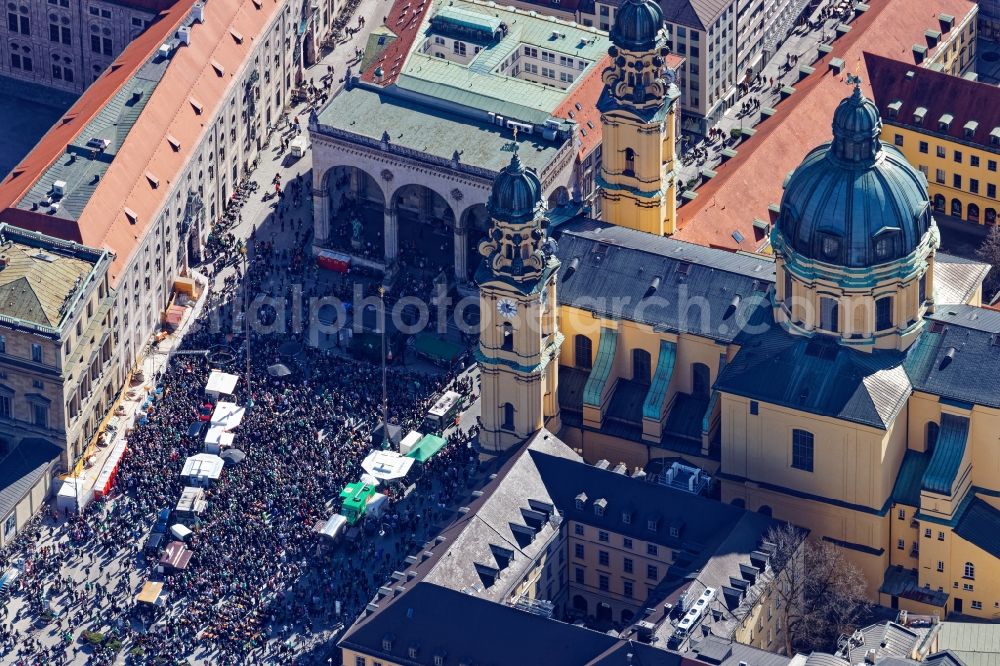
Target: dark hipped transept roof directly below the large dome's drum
(819, 376)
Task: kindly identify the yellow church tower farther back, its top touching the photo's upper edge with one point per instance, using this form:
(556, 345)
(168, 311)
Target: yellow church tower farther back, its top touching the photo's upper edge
(638, 178)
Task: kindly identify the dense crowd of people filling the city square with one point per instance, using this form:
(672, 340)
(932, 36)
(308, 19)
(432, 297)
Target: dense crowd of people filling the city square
(261, 587)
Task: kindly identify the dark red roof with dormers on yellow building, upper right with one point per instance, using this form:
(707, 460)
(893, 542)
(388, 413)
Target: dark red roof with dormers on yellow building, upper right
(937, 92)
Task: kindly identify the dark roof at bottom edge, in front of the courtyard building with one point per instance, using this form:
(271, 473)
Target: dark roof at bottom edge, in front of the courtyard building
(443, 621)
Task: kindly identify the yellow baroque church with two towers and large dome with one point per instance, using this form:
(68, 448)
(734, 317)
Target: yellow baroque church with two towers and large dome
(847, 384)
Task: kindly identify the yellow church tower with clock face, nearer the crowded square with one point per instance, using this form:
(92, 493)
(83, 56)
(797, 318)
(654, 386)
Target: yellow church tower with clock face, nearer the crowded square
(519, 336)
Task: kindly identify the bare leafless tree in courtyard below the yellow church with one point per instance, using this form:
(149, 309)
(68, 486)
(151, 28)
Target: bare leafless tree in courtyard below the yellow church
(820, 594)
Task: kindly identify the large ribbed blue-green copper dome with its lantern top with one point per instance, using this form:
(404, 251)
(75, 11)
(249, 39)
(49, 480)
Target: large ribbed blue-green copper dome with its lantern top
(854, 202)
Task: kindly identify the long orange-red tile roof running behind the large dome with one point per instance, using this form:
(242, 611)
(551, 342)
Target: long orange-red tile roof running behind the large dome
(745, 185)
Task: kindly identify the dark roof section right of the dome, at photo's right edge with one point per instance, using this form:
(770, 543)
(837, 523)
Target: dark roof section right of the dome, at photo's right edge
(972, 374)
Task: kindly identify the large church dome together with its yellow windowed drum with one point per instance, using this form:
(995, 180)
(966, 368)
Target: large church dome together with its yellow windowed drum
(855, 240)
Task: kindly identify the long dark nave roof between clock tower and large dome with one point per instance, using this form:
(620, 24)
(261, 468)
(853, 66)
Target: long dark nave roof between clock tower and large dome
(612, 270)
